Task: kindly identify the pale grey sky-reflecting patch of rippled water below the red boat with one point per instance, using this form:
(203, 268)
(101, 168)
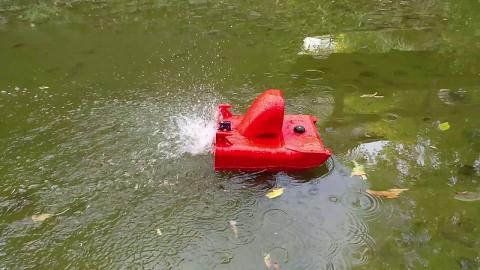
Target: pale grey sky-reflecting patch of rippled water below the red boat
(314, 225)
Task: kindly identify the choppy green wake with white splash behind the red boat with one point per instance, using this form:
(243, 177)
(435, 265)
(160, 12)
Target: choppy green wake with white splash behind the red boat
(102, 162)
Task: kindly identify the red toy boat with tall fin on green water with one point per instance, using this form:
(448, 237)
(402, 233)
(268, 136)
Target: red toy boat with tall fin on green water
(266, 139)
